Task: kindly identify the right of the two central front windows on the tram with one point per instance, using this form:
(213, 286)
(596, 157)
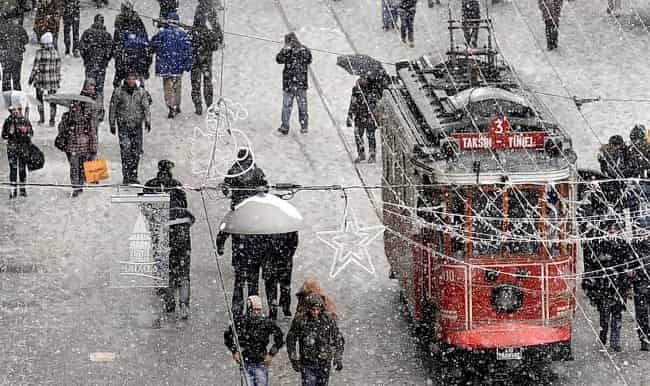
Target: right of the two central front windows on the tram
(523, 216)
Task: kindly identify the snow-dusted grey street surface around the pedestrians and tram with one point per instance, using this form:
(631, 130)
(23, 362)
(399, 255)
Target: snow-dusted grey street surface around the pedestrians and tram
(56, 307)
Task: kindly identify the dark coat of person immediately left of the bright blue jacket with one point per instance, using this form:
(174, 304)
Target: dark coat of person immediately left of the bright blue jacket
(129, 60)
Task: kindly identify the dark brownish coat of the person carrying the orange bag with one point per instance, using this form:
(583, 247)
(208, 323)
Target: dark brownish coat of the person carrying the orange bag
(80, 129)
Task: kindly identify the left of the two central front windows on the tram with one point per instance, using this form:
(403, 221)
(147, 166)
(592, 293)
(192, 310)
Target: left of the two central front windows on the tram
(486, 222)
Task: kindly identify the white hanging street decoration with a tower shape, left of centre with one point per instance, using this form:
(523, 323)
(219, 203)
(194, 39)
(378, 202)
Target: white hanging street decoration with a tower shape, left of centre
(141, 258)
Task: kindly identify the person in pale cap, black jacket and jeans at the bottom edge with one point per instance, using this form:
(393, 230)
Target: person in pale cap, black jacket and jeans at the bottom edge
(254, 333)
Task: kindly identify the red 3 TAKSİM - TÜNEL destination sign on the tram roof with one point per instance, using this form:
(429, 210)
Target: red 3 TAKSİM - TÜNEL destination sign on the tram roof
(499, 136)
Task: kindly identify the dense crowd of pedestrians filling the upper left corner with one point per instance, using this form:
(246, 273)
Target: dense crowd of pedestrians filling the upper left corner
(177, 49)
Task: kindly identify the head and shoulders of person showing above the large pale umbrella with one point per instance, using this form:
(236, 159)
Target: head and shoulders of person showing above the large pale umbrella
(244, 178)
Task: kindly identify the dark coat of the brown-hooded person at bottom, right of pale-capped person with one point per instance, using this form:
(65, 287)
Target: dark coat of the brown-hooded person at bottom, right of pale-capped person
(319, 340)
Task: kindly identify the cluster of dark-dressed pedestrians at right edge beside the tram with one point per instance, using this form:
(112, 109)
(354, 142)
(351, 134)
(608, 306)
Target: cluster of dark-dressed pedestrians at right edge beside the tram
(614, 260)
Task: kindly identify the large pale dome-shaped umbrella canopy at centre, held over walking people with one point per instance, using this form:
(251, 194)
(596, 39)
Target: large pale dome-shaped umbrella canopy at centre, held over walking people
(262, 214)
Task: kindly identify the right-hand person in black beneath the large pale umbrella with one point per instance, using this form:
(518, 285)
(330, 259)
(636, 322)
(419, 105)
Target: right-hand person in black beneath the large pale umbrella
(277, 271)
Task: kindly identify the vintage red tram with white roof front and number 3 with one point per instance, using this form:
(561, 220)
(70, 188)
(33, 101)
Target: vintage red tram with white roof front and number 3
(477, 229)
